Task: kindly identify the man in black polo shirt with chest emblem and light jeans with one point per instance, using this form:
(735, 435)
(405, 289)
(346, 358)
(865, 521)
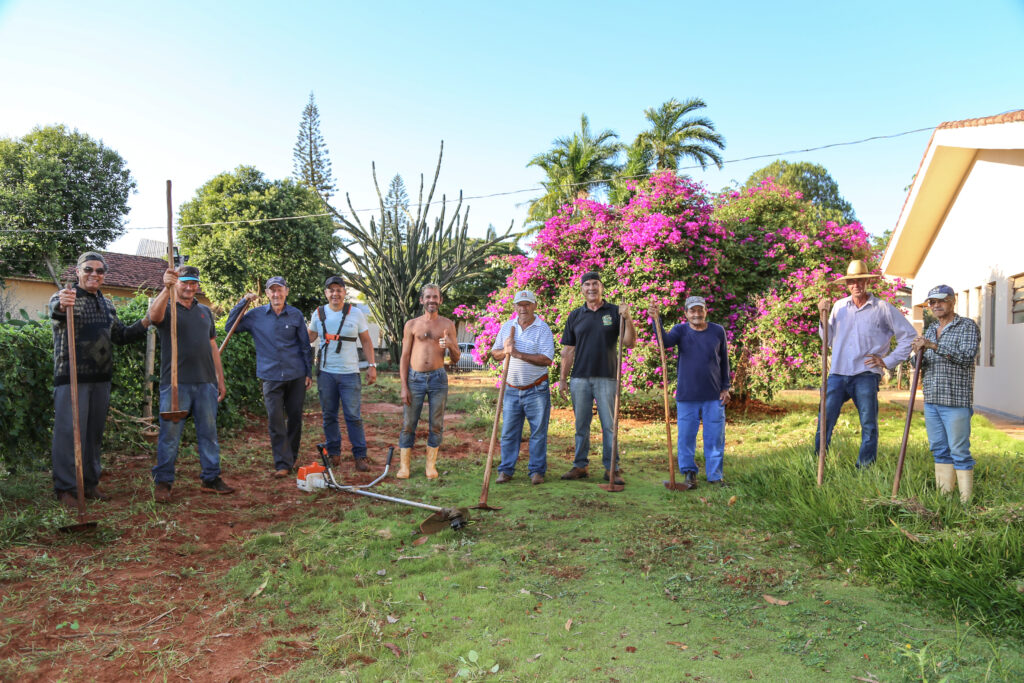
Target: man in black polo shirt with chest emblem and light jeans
(589, 350)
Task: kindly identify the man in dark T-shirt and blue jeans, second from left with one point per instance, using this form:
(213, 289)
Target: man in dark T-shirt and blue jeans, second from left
(201, 382)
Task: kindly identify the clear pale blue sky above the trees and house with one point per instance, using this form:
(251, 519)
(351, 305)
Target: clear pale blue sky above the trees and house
(187, 91)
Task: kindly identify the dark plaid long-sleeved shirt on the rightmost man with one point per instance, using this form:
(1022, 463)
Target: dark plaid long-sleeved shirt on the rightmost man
(950, 371)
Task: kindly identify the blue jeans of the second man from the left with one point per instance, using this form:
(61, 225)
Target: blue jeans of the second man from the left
(201, 402)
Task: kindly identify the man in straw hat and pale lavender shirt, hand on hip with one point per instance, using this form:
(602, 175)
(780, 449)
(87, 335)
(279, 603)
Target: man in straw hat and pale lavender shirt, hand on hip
(861, 331)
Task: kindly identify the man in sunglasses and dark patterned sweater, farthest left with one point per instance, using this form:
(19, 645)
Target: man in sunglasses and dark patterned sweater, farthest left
(97, 328)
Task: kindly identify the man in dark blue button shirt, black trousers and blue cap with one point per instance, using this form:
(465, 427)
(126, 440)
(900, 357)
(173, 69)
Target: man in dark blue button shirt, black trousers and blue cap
(284, 362)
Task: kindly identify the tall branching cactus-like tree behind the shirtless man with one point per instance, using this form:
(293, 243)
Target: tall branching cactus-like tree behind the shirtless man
(391, 268)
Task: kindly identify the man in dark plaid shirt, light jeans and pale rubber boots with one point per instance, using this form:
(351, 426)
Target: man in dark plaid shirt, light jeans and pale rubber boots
(951, 346)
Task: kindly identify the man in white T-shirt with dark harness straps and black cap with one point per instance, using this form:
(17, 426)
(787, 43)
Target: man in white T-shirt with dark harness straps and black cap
(339, 326)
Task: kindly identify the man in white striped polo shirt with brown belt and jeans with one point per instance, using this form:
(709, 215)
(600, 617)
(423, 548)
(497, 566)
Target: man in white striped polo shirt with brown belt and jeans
(529, 341)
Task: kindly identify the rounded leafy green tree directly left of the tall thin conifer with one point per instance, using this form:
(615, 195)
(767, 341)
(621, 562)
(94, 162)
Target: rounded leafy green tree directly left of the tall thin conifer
(253, 239)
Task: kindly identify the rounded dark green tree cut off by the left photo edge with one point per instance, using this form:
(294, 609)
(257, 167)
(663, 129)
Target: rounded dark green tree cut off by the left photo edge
(62, 193)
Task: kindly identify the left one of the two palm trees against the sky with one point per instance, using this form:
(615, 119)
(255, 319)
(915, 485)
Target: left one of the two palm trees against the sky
(575, 167)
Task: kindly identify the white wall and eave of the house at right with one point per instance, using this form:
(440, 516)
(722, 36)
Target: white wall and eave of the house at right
(982, 242)
